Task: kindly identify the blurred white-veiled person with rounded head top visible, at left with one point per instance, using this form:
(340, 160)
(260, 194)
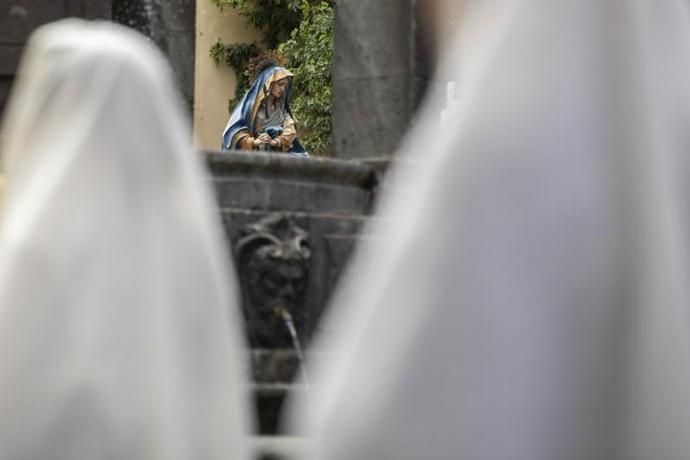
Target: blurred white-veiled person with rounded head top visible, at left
(118, 337)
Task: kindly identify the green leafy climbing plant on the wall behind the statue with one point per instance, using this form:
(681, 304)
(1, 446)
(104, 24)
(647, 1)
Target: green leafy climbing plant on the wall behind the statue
(302, 32)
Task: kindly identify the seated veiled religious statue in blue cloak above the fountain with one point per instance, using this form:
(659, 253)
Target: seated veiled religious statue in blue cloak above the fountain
(263, 120)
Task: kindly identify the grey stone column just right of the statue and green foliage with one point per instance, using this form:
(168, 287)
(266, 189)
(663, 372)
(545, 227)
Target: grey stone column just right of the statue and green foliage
(378, 76)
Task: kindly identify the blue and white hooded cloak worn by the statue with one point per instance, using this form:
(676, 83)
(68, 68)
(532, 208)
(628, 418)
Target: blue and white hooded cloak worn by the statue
(243, 121)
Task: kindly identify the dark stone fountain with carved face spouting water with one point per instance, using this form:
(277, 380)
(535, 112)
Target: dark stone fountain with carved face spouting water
(292, 224)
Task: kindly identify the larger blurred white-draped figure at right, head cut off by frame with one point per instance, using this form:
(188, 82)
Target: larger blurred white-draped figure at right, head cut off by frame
(527, 296)
